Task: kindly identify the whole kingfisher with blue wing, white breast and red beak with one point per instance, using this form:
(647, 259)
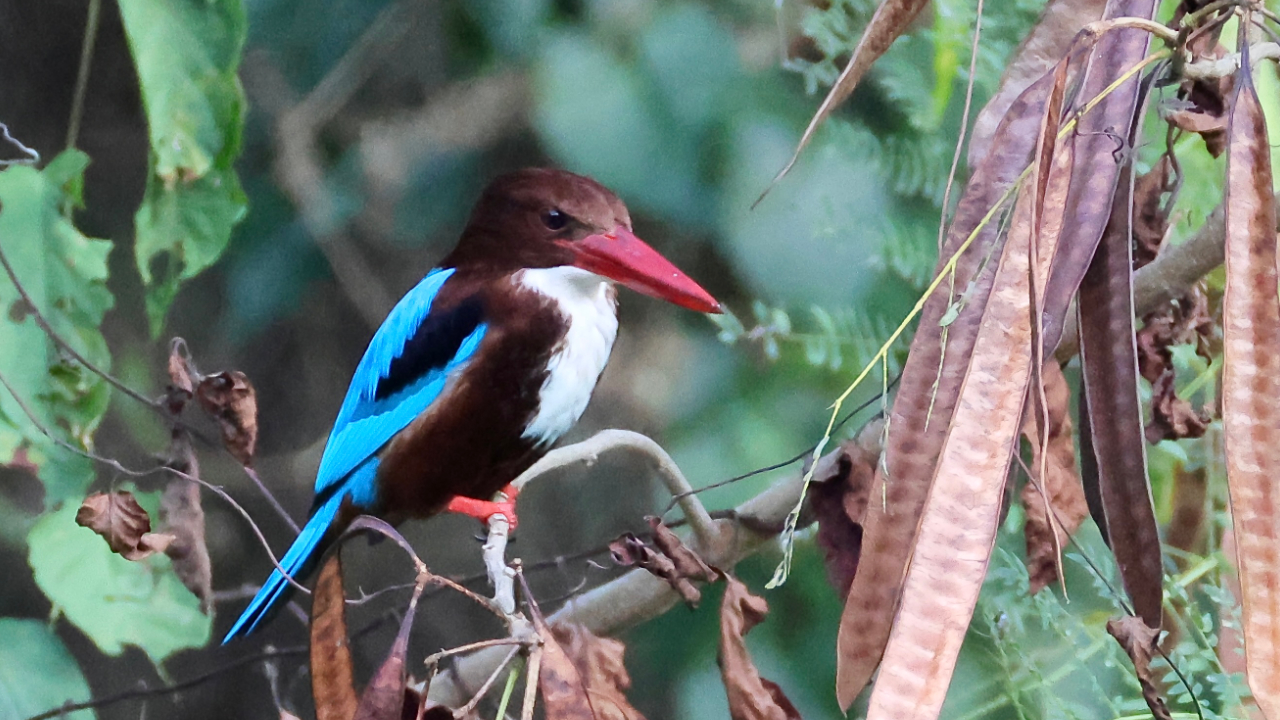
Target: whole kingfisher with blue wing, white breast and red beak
(483, 366)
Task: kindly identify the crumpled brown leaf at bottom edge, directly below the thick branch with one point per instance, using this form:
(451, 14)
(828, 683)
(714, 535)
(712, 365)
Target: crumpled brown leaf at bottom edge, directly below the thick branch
(600, 666)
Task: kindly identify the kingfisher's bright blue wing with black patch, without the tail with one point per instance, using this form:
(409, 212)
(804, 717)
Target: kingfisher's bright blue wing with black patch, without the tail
(403, 372)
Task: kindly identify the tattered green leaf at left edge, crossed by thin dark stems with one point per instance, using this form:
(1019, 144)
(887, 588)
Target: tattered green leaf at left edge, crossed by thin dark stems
(65, 274)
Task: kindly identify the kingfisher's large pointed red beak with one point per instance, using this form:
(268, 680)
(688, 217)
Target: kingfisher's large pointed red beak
(623, 257)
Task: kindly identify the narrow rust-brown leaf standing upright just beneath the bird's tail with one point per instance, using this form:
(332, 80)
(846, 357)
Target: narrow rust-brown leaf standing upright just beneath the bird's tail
(332, 683)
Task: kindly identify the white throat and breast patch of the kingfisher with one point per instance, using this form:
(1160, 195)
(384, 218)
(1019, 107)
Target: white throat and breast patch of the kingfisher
(587, 303)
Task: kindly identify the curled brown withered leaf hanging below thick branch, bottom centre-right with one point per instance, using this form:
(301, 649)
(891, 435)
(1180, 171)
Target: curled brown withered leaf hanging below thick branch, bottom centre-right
(751, 698)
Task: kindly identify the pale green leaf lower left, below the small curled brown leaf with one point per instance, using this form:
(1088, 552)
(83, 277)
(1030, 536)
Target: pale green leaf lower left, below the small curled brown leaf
(116, 603)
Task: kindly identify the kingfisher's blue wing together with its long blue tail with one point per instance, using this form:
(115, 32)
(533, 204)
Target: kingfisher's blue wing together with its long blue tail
(404, 371)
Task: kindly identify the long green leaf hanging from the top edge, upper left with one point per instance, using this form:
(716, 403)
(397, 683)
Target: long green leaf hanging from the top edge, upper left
(186, 53)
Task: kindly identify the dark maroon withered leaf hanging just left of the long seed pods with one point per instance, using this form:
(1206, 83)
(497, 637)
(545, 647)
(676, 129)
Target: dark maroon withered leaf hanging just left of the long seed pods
(839, 498)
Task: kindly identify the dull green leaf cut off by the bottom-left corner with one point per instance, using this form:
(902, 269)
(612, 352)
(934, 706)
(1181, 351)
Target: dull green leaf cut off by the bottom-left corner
(36, 672)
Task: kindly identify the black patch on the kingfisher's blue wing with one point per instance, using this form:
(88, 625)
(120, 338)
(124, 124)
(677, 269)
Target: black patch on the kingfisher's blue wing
(432, 347)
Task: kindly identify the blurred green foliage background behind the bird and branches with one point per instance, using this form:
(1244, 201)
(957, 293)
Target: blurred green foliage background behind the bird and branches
(687, 111)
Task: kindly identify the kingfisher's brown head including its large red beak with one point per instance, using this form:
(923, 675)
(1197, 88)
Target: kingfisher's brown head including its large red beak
(548, 218)
